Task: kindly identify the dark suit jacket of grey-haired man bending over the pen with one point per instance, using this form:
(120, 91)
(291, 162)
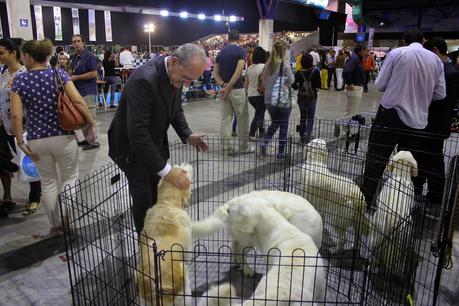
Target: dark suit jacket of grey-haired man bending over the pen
(138, 132)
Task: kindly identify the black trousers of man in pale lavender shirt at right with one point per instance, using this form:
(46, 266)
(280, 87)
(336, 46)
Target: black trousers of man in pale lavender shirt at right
(387, 131)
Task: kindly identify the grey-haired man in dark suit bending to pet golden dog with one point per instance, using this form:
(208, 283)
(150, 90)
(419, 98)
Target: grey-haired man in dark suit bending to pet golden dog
(150, 102)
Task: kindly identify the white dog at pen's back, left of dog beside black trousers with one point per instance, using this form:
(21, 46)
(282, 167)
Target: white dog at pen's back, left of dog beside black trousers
(334, 196)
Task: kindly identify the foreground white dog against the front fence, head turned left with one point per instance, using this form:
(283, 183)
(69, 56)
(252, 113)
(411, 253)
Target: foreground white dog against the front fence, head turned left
(297, 275)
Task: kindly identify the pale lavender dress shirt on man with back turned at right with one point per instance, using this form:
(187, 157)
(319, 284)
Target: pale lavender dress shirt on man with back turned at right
(411, 77)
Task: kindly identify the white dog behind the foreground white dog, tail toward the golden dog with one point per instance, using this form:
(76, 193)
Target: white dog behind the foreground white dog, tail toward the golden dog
(293, 208)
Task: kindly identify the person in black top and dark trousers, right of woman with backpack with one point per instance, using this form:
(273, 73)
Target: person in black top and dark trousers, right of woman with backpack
(307, 105)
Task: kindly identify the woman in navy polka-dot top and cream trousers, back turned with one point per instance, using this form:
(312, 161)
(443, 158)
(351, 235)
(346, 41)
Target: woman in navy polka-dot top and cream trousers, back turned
(52, 148)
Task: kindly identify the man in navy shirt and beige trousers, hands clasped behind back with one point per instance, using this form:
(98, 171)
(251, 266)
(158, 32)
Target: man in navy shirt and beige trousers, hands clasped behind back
(228, 74)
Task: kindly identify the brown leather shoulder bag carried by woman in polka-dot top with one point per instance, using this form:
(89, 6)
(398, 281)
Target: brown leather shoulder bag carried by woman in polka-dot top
(70, 118)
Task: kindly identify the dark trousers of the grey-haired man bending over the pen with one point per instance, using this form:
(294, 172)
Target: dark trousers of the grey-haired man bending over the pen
(143, 188)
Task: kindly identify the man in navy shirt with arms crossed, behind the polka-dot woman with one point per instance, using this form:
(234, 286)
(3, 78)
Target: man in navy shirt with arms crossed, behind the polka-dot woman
(84, 73)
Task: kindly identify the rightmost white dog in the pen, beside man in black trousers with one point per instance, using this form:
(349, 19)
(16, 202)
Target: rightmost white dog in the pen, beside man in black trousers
(395, 203)
